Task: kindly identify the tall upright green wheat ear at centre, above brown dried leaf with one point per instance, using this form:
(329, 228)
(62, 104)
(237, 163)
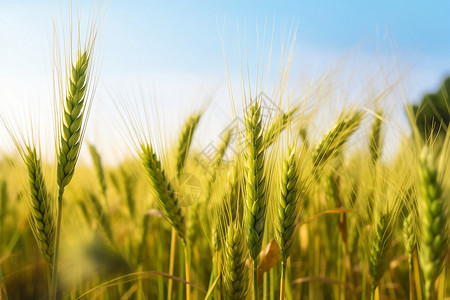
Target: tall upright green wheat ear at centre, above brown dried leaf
(255, 207)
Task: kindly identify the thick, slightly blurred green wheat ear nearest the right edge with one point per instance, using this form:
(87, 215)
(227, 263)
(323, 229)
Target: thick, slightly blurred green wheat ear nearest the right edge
(433, 239)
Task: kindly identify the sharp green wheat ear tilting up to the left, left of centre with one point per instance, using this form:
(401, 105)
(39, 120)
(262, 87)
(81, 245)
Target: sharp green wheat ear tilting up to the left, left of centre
(165, 194)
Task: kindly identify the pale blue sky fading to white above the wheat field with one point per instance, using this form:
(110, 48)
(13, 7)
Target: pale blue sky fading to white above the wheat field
(176, 47)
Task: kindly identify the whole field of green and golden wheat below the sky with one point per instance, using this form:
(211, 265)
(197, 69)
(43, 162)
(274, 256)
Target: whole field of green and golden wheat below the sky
(309, 215)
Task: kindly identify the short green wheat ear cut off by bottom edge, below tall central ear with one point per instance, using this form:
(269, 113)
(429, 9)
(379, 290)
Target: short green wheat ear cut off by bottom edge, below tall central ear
(235, 275)
